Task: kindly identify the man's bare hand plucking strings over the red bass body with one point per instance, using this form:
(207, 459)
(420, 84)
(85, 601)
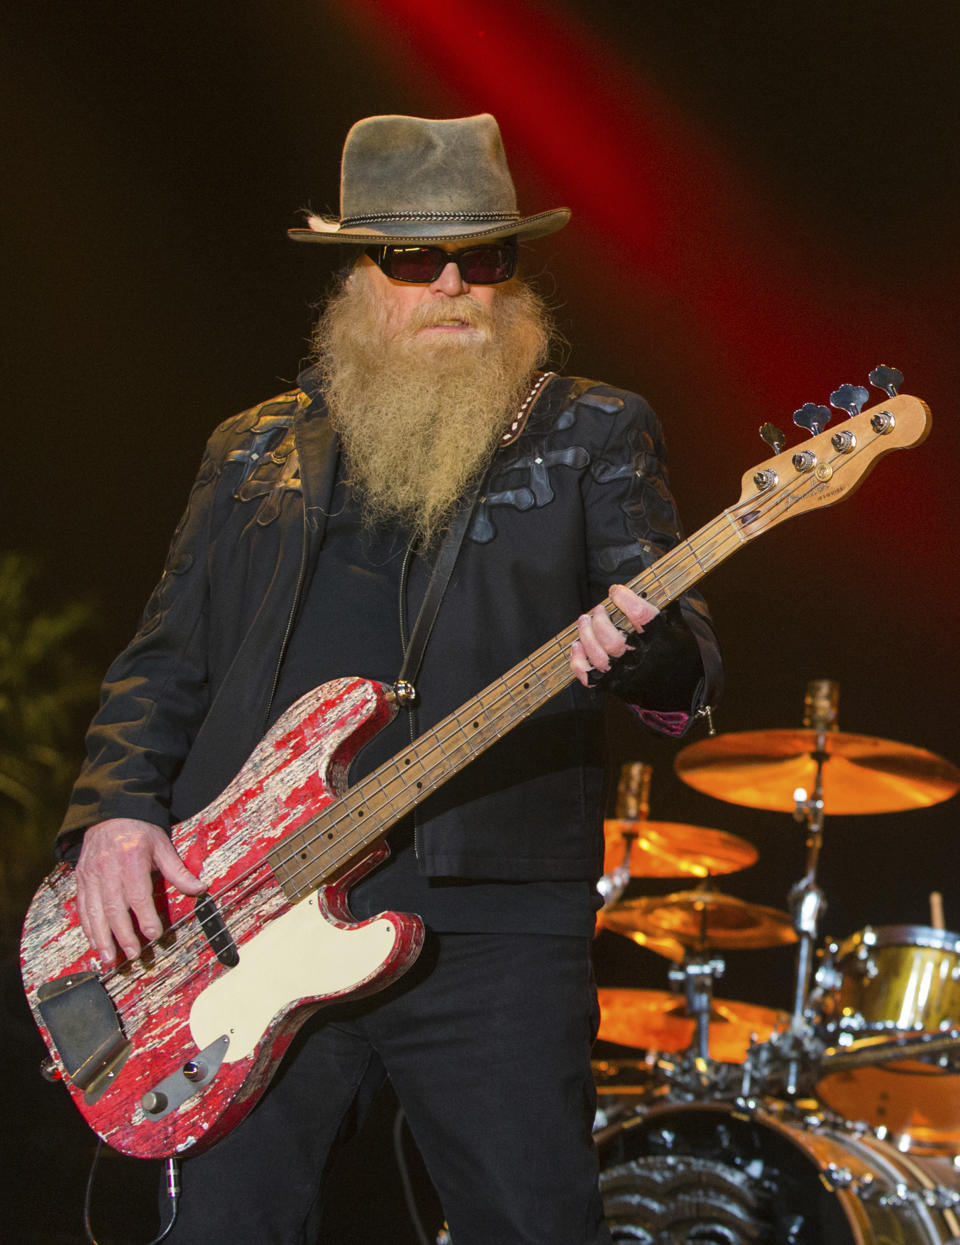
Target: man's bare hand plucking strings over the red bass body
(115, 883)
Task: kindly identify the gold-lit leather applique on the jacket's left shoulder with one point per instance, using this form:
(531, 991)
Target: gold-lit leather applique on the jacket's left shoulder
(270, 463)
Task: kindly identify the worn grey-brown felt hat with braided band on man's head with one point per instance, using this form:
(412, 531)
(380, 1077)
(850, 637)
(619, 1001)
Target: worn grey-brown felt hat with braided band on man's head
(409, 180)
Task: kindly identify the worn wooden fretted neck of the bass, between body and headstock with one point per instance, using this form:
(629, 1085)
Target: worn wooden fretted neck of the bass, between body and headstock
(353, 825)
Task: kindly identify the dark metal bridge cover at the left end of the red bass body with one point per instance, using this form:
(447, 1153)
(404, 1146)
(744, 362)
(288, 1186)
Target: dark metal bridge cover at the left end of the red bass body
(85, 1029)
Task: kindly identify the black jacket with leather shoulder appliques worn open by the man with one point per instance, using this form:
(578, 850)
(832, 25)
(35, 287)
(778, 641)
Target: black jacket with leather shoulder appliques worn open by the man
(577, 502)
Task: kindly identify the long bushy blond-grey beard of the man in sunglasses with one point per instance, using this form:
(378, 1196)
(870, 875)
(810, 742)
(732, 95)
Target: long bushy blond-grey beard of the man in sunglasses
(420, 420)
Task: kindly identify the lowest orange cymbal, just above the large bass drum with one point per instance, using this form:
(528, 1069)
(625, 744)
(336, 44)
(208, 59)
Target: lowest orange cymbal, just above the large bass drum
(658, 1020)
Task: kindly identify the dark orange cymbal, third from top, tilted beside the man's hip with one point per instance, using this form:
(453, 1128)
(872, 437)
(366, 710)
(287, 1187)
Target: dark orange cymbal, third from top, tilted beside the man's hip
(702, 919)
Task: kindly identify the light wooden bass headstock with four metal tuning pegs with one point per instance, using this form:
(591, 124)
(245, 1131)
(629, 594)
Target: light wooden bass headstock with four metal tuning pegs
(834, 463)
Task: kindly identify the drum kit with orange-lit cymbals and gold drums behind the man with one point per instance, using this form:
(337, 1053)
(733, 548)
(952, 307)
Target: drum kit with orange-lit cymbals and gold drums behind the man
(834, 1124)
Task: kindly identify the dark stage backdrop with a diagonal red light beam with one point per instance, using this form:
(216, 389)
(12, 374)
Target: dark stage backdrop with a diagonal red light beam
(765, 206)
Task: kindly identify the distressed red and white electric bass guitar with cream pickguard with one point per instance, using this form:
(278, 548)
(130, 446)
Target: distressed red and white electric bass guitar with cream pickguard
(166, 1053)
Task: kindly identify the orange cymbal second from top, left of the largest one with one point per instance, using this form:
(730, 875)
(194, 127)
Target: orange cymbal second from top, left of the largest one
(668, 850)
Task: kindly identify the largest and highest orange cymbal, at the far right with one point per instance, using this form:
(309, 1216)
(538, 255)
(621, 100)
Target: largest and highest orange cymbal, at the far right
(862, 775)
